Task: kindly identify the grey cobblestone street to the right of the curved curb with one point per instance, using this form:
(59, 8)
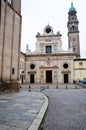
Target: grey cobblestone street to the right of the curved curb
(67, 109)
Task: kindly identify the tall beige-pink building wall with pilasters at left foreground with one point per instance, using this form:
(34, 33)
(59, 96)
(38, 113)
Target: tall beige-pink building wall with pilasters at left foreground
(10, 38)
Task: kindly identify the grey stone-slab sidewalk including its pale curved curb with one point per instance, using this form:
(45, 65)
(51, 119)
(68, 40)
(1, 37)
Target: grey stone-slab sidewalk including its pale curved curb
(22, 111)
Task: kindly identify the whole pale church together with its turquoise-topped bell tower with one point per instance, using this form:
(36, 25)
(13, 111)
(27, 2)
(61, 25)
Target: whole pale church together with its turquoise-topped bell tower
(49, 63)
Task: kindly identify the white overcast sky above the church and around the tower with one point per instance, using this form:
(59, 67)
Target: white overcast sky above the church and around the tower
(36, 14)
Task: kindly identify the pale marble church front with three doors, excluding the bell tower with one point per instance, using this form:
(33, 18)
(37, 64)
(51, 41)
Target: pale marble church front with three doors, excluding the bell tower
(49, 63)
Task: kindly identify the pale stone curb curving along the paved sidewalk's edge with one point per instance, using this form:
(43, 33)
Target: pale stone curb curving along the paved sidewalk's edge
(37, 122)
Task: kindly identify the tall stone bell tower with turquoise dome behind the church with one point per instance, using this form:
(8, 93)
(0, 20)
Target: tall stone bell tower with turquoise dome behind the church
(73, 31)
